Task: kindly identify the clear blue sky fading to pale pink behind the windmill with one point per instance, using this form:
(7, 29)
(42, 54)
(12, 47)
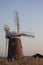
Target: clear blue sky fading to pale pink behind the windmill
(31, 20)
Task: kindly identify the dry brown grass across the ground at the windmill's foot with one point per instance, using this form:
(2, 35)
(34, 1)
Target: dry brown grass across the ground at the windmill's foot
(24, 61)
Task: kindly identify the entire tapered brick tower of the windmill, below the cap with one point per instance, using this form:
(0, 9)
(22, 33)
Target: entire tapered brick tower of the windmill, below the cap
(15, 48)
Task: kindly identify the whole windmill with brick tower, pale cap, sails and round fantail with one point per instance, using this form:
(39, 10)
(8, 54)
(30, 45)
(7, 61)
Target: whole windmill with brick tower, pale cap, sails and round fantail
(14, 45)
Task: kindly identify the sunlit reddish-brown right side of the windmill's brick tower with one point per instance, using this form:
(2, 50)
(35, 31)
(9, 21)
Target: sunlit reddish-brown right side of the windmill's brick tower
(18, 48)
